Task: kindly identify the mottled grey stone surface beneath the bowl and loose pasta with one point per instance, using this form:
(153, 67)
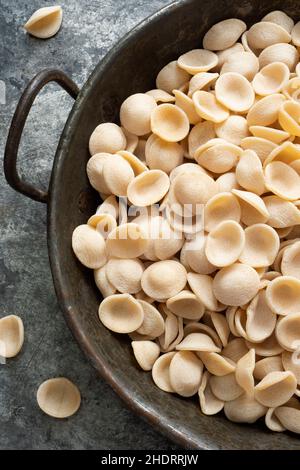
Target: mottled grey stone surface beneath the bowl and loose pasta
(90, 29)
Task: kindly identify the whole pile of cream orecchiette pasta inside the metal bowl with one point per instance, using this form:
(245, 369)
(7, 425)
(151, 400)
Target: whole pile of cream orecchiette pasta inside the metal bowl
(213, 311)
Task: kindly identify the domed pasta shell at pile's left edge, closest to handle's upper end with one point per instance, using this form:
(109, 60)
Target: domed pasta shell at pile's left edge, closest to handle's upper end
(107, 138)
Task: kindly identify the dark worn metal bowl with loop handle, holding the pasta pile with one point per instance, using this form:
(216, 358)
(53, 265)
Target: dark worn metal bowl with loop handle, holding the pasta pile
(131, 67)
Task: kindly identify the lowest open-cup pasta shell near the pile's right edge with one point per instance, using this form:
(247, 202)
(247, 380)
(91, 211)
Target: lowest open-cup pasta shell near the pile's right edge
(275, 389)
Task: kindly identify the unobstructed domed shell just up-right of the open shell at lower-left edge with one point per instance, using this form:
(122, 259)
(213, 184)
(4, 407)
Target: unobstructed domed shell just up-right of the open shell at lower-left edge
(164, 279)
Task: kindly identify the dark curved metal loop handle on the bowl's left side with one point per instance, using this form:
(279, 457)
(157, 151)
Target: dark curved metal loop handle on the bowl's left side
(17, 125)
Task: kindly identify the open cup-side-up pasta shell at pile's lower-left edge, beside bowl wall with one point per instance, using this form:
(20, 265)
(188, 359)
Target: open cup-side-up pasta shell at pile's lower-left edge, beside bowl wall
(121, 313)
